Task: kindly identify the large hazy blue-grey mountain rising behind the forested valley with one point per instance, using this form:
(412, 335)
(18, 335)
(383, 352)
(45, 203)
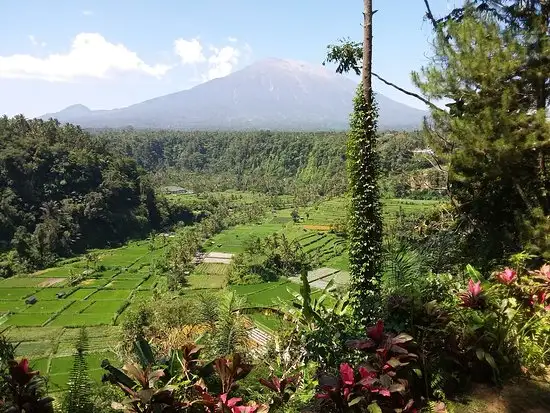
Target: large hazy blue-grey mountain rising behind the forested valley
(272, 94)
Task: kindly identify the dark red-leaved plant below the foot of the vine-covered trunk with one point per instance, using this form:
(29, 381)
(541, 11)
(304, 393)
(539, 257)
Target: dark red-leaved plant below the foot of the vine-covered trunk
(379, 382)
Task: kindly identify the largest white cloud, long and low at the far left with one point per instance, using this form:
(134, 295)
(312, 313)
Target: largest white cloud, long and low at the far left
(91, 55)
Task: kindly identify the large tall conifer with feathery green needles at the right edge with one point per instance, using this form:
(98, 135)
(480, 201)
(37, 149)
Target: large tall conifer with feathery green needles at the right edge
(491, 60)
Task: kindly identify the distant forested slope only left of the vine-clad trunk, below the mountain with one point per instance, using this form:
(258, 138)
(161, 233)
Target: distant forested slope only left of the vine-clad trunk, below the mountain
(308, 165)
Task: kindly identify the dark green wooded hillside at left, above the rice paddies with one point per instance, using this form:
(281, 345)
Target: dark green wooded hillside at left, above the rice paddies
(63, 190)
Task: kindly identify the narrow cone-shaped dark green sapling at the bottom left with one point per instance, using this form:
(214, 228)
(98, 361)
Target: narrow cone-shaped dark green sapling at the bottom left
(78, 398)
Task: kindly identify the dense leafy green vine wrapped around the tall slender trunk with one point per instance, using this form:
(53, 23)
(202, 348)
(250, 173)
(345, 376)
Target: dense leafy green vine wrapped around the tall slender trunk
(365, 229)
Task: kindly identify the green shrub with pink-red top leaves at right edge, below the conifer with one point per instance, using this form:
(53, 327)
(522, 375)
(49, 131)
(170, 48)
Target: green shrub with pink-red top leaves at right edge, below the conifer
(505, 320)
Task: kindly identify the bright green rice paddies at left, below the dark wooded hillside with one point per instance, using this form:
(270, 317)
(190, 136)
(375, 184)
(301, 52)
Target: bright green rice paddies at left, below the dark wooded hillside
(46, 331)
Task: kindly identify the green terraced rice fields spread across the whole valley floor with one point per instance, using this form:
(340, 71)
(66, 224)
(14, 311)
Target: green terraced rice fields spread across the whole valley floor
(122, 277)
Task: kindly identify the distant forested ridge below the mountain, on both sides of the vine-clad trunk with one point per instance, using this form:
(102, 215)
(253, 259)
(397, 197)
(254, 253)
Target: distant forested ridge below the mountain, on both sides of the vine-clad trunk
(272, 162)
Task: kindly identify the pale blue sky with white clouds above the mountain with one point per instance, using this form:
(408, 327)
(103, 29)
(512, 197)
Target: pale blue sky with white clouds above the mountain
(112, 53)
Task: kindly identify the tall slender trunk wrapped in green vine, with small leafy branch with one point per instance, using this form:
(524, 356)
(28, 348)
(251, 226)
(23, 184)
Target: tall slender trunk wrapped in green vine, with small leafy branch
(363, 165)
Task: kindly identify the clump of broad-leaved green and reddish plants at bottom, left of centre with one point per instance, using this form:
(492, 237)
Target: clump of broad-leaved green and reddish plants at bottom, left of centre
(182, 383)
